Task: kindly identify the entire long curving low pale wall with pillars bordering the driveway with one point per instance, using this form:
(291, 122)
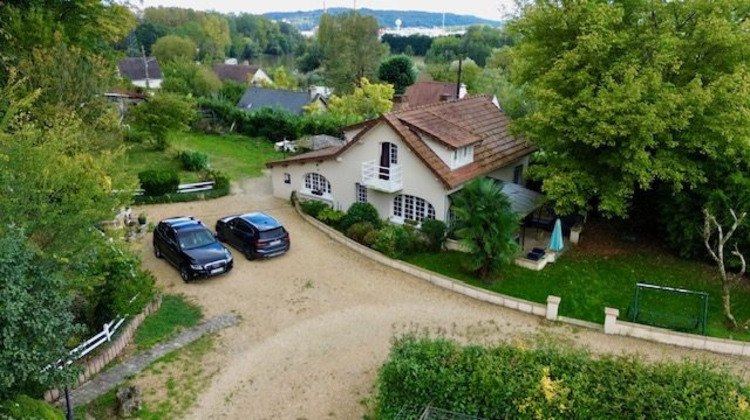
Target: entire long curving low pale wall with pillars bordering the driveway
(611, 325)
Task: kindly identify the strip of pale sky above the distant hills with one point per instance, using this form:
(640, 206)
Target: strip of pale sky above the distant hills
(487, 9)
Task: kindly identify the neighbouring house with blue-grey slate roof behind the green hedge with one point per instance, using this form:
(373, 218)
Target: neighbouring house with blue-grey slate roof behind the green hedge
(257, 97)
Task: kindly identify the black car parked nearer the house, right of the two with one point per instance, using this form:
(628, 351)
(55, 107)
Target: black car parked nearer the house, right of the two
(257, 235)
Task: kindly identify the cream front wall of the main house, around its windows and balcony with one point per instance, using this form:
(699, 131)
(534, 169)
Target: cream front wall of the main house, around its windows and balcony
(346, 171)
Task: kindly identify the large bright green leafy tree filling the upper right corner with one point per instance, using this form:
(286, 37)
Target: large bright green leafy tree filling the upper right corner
(629, 94)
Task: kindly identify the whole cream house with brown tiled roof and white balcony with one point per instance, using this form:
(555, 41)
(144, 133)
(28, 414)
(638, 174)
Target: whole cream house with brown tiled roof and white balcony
(409, 163)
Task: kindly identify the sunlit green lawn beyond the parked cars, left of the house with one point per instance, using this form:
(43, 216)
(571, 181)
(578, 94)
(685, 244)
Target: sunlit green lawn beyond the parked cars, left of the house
(235, 155)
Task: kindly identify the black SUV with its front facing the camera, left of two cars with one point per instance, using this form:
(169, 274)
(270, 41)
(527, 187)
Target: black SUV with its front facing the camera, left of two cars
(191, 247)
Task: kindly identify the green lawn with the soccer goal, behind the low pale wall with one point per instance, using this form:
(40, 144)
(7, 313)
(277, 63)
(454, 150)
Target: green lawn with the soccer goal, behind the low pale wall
(588, 283)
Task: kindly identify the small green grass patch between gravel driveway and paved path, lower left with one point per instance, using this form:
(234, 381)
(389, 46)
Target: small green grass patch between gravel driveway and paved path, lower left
(175, 314)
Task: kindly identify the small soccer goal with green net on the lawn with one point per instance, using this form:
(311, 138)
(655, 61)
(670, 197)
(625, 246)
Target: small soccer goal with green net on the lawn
(669, 307)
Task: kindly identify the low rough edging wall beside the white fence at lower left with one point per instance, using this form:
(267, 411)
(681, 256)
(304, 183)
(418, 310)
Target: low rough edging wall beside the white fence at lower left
(91, 365)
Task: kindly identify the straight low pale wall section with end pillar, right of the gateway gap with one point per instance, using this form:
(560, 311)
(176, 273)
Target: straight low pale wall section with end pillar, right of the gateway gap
(614, 326)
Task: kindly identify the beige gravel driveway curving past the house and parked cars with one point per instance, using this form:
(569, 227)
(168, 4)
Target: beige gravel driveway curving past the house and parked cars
(317, 322)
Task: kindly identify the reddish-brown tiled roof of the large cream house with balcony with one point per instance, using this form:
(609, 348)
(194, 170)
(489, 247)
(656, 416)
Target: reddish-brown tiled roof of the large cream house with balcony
(473, 120)
